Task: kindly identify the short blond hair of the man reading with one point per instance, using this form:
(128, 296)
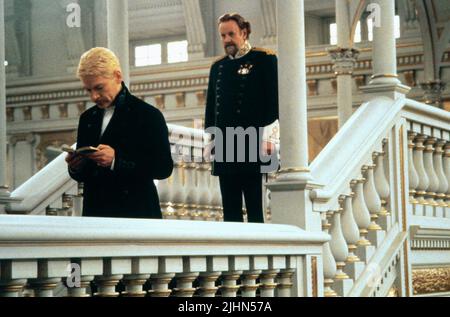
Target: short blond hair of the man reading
(98, 62)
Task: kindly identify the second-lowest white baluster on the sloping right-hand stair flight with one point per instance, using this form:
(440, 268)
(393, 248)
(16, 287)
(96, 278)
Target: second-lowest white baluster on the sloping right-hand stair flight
(338, 244)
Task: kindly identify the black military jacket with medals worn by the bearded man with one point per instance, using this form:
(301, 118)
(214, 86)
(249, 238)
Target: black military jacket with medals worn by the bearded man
(243, 93)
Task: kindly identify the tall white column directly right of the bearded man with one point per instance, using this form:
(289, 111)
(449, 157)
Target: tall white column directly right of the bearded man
(292, 90)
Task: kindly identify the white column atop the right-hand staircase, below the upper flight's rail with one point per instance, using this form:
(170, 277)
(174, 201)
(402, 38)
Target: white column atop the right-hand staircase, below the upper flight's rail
(384, 45)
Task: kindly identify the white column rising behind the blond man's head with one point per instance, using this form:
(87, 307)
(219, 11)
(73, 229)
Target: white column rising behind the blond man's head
(118, 38)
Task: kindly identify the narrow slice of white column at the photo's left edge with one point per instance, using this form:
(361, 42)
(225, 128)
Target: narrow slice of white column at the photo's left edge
(3, 178)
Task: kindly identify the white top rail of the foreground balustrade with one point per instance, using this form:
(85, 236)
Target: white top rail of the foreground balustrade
(161, 237)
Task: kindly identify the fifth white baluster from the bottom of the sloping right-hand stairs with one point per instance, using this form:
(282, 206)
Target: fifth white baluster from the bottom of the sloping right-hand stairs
(371, 197)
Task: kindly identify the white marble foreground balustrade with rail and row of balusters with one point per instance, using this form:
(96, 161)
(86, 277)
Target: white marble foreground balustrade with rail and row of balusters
(152, 258)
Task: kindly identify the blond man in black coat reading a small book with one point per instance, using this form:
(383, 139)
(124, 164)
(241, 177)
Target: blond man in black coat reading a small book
(132, 141)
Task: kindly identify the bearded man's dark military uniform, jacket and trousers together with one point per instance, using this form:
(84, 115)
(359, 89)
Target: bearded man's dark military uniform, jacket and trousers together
(242, 92)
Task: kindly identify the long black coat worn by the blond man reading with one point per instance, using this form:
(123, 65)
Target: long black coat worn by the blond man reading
(139, 135)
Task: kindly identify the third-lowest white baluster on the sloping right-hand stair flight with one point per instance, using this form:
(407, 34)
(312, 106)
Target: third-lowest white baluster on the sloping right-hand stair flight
(350, 228)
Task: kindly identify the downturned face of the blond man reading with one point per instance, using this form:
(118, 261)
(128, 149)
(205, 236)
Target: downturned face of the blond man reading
(103, 90)
